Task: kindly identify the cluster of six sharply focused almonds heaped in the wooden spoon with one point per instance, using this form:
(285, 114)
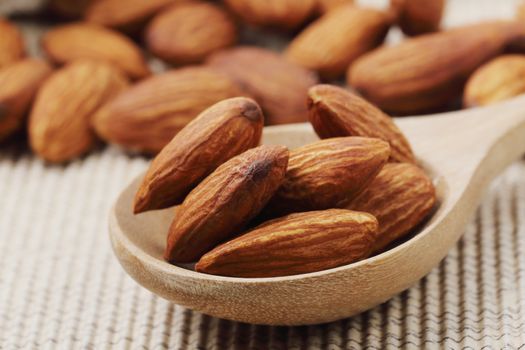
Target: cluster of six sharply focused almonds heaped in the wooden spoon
(245, 210)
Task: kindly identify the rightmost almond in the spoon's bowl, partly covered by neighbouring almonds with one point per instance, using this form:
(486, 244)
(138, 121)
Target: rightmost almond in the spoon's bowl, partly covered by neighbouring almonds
(400, 197)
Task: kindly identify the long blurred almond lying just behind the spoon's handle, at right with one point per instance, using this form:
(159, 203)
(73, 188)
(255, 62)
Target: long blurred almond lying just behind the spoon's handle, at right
(402, 79)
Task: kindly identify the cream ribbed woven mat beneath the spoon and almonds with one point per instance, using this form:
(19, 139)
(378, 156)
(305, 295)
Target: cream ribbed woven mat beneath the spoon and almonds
(62, 288)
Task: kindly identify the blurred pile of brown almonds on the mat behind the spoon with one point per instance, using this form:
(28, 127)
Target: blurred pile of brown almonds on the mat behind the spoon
(95, 84)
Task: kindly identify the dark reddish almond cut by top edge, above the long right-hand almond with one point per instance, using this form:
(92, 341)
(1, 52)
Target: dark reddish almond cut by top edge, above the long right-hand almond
(418, 16)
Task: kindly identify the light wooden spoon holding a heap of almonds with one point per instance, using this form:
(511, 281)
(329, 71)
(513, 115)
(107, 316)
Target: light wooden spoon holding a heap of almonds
(462, 150)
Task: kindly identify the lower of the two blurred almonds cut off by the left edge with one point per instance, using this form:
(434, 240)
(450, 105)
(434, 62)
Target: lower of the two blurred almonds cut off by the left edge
(18, 84)
